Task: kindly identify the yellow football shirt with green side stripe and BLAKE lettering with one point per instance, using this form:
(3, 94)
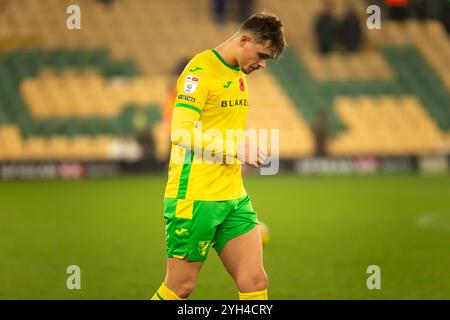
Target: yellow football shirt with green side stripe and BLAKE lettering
(214, 94)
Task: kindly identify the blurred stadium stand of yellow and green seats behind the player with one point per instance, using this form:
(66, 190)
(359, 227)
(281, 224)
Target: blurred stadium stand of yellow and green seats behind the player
(77, 94)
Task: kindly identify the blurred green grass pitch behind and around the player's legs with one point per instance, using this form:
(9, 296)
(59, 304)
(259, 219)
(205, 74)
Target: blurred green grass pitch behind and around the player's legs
(325, 232)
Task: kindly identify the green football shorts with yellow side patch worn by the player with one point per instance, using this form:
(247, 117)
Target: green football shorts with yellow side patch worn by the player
(193, 226)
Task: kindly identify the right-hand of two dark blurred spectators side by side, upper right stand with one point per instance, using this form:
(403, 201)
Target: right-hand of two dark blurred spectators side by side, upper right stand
(349, 31)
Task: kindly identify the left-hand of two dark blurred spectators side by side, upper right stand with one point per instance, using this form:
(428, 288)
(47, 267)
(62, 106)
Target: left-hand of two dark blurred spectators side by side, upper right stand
(325, 28)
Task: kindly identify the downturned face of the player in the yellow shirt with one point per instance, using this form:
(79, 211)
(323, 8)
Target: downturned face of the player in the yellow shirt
(254, 55)
